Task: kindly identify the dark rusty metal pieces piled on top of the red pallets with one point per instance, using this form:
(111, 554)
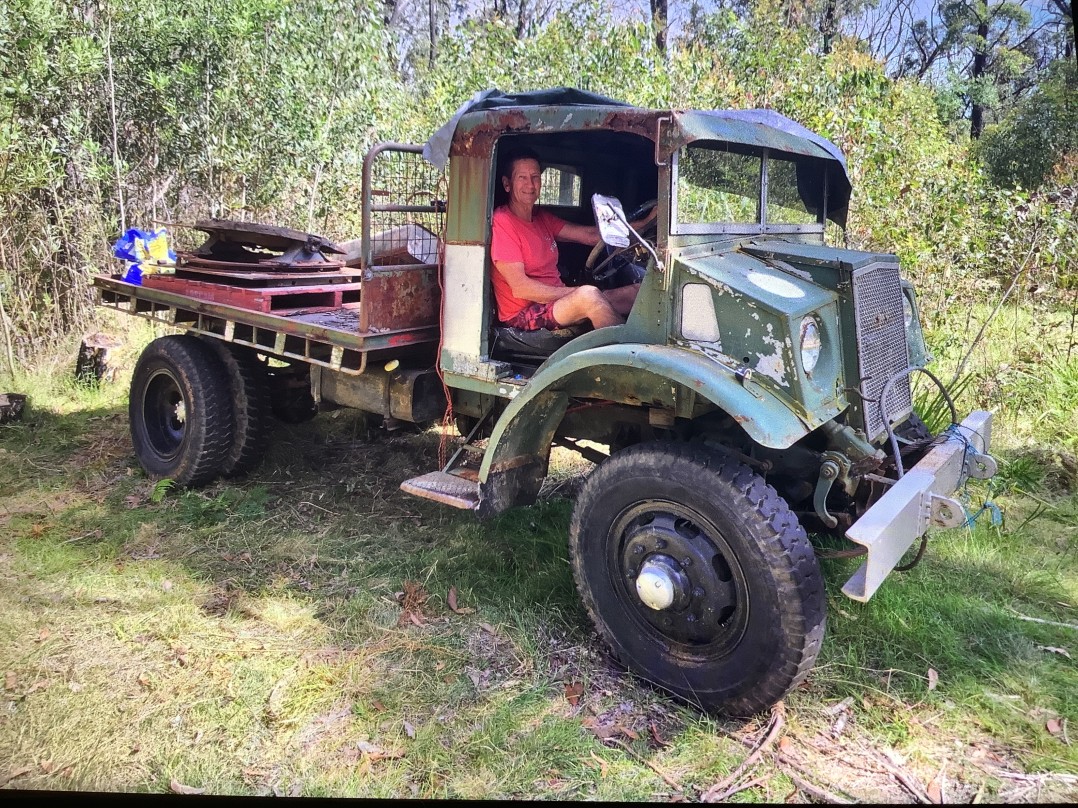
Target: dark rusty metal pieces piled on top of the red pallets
(236, 245)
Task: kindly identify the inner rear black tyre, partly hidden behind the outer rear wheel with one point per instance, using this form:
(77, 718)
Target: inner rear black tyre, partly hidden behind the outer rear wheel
(250, 392)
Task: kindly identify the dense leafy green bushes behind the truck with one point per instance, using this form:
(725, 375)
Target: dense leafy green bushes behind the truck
(264, 109)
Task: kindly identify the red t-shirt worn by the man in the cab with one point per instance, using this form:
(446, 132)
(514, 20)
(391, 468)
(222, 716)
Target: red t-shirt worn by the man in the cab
(532, 244)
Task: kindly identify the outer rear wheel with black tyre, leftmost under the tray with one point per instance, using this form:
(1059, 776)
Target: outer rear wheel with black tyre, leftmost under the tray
(181, 412)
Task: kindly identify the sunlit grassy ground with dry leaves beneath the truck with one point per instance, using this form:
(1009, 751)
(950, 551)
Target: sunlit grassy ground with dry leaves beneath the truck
(248, 638)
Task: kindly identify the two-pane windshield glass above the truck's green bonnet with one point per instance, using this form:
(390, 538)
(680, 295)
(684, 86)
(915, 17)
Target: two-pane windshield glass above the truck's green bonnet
(718, 184)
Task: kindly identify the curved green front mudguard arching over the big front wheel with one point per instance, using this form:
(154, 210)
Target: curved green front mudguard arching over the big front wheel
(516, 459)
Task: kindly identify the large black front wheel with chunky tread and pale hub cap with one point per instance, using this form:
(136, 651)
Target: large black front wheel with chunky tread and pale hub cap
(749, 612)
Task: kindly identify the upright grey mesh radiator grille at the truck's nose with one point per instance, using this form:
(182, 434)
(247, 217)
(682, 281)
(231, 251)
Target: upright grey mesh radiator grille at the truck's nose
(881, 344)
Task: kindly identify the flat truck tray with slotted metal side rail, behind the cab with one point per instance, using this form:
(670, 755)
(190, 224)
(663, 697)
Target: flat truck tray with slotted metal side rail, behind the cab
(325, 336)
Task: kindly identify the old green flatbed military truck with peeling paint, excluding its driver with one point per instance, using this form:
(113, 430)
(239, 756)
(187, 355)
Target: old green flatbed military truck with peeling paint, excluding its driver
(761, 386)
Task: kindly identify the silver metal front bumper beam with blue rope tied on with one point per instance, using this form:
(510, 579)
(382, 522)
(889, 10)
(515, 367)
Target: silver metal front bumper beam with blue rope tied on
(919, 500)
